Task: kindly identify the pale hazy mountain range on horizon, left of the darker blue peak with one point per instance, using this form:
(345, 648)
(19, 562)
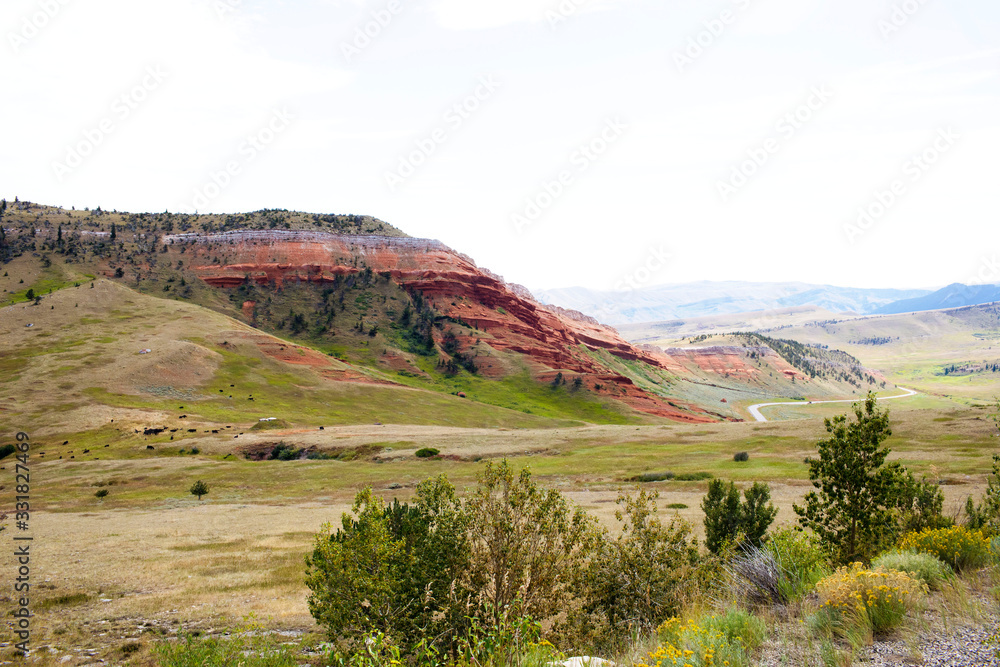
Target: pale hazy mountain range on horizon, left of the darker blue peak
(700, 299)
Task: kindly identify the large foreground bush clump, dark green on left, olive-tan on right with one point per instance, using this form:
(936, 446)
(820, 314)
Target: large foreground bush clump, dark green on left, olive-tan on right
(444, 568)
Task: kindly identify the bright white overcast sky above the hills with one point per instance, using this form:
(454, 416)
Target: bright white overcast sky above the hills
(557, 142)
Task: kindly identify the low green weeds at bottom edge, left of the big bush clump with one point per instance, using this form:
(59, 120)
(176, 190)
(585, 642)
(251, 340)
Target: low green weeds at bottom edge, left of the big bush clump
(250, 646)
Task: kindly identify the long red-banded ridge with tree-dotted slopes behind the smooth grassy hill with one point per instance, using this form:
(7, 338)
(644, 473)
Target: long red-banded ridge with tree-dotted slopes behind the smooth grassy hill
(378, 307)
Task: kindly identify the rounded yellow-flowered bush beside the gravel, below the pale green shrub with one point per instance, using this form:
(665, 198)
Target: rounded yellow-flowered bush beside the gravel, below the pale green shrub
(878, 599)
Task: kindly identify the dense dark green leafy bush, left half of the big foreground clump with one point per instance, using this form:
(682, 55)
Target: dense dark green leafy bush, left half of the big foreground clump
(391, 568)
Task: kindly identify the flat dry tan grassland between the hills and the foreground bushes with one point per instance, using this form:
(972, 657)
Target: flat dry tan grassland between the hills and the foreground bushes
(150, 558)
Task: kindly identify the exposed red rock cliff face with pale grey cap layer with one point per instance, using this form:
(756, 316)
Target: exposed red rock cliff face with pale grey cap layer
(551, 339)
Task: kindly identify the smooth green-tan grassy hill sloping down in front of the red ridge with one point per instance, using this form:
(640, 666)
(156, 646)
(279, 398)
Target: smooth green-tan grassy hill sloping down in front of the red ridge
(79, 368)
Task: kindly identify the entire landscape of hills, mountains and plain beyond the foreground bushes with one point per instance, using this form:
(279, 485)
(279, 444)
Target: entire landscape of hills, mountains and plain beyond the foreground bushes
(288, 361)
